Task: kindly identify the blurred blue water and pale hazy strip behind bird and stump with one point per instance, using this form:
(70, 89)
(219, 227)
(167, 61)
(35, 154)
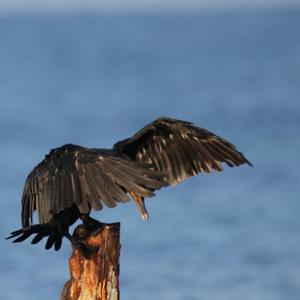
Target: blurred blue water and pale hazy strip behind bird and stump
(92, 73)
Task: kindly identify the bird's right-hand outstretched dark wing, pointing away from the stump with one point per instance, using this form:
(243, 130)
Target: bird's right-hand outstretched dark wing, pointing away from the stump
(179, 149)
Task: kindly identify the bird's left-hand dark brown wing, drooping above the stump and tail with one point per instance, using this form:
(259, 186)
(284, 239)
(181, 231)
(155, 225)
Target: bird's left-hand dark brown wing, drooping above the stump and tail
(88, 178)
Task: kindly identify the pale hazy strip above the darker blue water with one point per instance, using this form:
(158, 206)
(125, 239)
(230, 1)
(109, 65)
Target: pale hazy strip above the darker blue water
(153, 7)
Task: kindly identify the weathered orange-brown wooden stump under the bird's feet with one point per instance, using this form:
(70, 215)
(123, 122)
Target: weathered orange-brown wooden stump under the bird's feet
(96, 278)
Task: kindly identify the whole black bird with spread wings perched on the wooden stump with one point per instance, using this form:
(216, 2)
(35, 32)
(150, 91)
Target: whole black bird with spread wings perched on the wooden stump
(73, 180)
